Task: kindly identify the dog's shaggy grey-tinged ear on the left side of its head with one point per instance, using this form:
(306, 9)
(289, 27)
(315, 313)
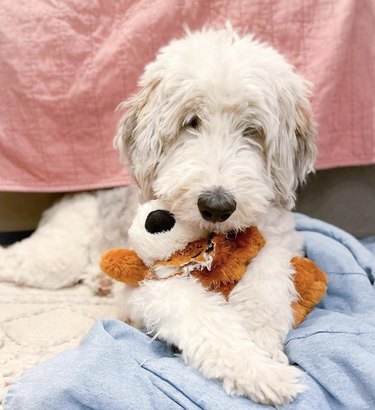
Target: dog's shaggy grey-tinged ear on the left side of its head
(137, 137)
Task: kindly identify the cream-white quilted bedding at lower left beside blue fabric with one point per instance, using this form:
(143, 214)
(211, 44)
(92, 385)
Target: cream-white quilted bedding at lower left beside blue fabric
(36, 324)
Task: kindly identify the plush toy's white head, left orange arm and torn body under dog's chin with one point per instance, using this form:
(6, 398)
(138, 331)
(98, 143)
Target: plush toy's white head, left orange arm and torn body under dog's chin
(164, 247)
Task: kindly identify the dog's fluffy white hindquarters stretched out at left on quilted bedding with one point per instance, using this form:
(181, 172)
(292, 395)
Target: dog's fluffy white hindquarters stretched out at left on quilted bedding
(57, 254)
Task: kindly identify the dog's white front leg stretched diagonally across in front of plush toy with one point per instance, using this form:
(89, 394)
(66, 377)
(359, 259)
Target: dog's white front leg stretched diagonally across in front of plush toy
(212, 338)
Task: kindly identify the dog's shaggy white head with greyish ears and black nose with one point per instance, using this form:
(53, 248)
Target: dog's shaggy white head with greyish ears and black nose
(221, 130)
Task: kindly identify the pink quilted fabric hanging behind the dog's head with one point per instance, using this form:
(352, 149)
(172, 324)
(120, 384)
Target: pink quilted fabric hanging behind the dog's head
(64, 66)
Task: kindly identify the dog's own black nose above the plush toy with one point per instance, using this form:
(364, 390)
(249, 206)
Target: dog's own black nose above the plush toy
(216, 205)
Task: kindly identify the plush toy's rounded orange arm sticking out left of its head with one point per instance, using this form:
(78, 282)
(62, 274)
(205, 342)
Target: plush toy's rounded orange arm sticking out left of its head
(123, 265)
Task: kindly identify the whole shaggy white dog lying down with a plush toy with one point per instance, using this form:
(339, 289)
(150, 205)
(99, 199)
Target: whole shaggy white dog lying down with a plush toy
(221, 130)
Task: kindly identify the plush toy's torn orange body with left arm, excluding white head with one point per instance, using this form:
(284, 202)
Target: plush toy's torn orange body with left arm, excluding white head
(218, 262)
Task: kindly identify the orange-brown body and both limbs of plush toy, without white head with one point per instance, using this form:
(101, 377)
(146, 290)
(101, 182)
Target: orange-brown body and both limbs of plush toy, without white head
(218, 263)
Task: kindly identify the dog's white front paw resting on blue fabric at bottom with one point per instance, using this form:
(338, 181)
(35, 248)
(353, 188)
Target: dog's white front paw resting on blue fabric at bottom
(272, 383)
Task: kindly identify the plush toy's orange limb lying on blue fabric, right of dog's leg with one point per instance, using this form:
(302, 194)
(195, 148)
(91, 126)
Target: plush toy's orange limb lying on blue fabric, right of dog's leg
(311, 285)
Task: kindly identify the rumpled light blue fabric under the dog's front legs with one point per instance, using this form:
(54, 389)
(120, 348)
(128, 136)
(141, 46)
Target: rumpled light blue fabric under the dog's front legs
(117, 367)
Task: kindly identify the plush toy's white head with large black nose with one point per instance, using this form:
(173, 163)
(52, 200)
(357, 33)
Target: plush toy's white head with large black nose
(155, 234)
